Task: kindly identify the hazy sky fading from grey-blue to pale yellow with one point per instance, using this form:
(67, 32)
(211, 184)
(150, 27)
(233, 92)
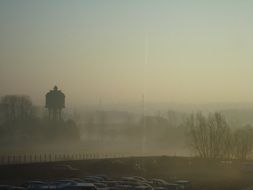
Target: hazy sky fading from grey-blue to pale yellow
(172, 51)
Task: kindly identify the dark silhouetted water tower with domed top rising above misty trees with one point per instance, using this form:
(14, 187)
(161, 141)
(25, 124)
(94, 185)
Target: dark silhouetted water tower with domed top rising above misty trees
(55, 102)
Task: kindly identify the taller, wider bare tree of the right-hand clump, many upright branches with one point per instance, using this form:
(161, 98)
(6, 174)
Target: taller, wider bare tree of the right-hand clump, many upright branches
(209, 136)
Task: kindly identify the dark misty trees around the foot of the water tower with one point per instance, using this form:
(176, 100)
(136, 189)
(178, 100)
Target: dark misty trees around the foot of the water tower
(20, 121)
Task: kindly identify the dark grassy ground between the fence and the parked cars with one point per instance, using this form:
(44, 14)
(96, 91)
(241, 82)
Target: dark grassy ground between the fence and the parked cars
(205, 175)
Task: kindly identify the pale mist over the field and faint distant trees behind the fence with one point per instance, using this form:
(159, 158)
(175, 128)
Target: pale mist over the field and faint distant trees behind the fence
(121, 128)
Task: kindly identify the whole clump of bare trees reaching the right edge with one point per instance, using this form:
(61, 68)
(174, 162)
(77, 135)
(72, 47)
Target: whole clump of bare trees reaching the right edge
(211, 137)
